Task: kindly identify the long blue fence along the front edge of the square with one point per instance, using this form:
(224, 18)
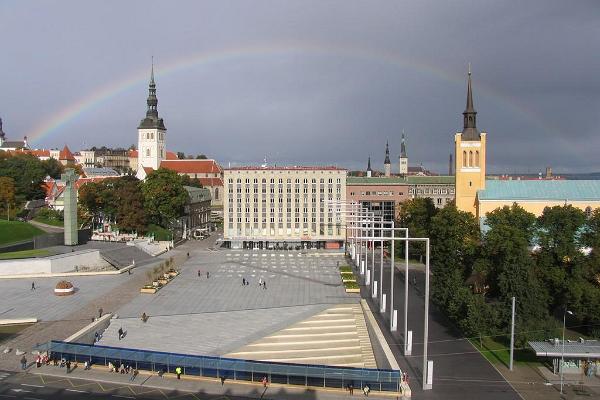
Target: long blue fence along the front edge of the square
(383, 380)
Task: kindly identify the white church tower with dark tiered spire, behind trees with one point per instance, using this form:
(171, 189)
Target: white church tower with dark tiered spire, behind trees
(151, 133)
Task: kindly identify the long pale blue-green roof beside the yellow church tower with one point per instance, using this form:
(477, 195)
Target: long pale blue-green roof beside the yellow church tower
(575, 190)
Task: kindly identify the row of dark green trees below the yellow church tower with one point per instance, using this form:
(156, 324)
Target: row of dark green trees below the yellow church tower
(548, 263)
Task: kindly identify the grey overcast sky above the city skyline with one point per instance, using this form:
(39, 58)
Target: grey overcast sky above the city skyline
(311, 82)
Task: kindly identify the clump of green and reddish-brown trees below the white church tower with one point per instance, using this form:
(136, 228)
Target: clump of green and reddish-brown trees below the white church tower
(133, 204)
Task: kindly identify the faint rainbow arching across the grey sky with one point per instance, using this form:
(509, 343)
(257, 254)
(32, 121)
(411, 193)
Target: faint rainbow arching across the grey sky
(65, 116)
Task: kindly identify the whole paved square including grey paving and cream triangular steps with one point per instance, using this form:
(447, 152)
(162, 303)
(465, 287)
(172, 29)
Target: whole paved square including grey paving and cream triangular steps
(207, 310)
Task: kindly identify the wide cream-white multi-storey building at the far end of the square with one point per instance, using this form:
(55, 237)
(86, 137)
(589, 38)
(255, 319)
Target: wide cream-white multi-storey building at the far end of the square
(284, 207)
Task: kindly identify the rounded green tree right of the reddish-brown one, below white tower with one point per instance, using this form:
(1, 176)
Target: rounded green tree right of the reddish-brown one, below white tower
(164, 196)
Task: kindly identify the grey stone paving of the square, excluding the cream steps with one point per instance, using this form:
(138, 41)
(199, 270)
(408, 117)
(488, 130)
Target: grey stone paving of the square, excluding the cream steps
(215, 315)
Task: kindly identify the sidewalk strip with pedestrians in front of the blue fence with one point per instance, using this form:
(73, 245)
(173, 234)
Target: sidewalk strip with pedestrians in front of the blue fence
(192, 384)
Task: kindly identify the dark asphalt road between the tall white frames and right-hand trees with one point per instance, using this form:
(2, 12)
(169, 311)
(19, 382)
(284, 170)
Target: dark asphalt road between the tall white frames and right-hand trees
(459, 370)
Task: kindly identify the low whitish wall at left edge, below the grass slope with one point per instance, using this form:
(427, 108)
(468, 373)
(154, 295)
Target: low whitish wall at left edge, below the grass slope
(55, 264)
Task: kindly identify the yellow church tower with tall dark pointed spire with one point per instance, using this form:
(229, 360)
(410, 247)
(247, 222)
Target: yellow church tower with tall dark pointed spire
(469, 157)
